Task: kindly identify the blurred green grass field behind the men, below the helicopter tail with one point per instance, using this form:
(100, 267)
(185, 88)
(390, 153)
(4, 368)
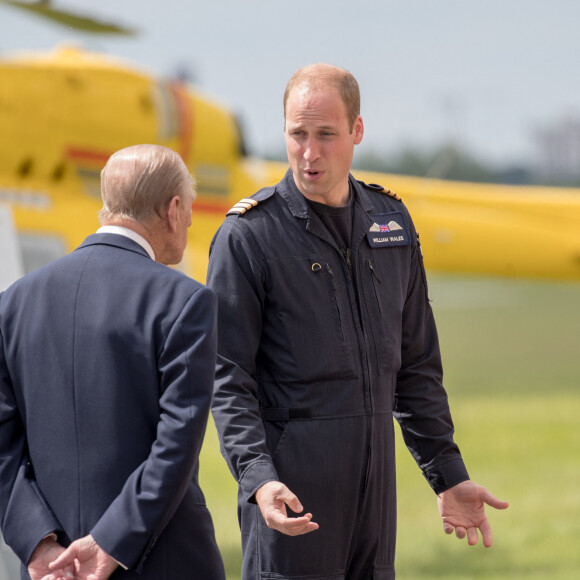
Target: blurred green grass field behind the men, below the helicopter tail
(512, 370)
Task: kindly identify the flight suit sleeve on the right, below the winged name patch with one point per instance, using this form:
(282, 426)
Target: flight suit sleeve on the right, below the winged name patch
(421, 405)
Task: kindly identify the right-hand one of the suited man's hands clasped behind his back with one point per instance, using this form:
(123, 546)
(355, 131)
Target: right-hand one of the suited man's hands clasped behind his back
(90, 560)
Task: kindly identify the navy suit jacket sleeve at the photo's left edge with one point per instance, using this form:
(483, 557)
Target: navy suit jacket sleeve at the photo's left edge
(25, 516)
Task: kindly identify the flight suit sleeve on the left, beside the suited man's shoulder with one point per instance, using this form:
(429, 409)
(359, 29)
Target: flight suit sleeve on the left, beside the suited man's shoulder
(238, 278)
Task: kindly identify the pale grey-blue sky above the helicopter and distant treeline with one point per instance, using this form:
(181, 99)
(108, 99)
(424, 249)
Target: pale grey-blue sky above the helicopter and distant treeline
(485, 74)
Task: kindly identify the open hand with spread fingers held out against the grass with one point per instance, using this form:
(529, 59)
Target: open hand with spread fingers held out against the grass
(462, 509)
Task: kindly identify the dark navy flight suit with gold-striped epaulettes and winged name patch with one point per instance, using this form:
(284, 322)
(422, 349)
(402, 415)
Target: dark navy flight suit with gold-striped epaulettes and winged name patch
(318, 349)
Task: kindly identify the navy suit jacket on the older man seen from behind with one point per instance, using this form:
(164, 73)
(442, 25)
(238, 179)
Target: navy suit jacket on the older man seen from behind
(106, 370)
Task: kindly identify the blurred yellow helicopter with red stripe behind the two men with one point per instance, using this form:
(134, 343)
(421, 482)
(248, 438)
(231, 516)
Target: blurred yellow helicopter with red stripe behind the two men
(63, 112)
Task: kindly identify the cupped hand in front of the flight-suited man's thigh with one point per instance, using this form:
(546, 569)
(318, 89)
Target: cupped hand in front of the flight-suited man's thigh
(272, 498)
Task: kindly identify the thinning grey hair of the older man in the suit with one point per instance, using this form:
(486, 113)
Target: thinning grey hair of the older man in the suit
(138, 182)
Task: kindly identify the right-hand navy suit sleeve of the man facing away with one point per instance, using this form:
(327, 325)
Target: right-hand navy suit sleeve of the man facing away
(129, 528)
